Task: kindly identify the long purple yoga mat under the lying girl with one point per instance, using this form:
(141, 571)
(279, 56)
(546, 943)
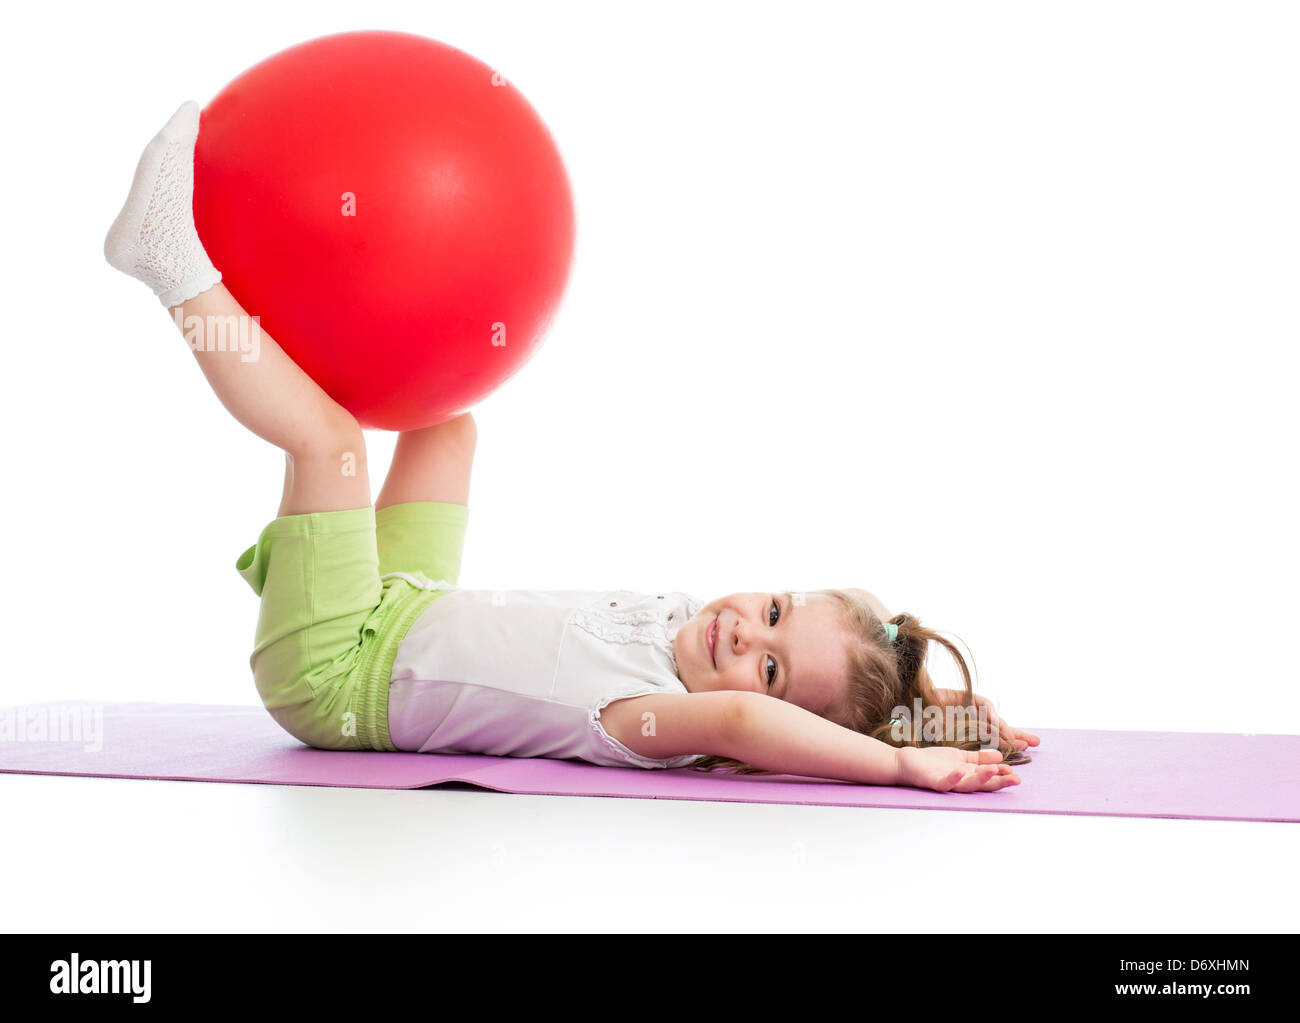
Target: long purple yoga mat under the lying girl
(1220, 777)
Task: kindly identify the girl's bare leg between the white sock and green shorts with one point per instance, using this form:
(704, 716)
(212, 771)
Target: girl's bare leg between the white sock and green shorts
(326, 466)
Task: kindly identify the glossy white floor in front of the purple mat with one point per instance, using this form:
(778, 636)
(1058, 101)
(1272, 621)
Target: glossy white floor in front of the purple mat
(120, 856)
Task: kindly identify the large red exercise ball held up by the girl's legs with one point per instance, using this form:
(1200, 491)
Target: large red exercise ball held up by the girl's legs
(396, 214)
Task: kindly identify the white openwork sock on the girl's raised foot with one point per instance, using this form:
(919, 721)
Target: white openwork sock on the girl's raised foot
(154, 239)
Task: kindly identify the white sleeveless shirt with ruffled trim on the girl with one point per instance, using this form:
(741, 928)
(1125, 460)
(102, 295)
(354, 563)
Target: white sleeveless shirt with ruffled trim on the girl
(527, 673)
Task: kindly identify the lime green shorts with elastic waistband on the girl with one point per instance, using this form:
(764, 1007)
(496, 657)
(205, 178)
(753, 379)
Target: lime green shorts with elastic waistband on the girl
(333, 613)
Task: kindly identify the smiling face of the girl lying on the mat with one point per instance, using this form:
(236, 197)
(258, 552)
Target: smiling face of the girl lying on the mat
(787, 645)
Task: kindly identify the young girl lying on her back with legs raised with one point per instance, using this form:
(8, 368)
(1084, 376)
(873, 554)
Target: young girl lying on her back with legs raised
(366, 643)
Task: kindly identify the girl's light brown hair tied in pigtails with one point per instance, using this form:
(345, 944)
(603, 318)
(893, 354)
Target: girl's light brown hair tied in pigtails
(885, 677)
